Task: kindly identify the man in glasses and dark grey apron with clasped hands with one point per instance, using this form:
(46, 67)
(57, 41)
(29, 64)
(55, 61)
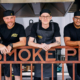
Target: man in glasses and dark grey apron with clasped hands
(45, 33)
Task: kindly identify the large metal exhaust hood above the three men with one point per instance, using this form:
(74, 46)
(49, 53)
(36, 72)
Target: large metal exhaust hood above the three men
(32, 8)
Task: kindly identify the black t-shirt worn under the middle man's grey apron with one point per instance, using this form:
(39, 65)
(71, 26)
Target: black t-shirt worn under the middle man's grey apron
(56, 29)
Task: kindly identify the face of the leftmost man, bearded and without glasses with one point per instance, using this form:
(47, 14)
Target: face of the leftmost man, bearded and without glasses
(9, 20)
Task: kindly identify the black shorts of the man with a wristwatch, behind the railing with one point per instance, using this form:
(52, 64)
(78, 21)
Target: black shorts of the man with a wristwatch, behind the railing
(15, 67)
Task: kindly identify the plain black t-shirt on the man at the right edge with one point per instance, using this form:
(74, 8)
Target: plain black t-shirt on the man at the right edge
(72, 32)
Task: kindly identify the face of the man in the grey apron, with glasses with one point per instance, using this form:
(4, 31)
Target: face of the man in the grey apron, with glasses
(45, 18)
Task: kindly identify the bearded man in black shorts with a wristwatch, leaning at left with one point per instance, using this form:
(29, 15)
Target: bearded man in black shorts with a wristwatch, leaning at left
(12, 35)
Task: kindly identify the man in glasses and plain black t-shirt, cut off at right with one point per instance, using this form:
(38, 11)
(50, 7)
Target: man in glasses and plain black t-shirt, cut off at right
(72, 38)
